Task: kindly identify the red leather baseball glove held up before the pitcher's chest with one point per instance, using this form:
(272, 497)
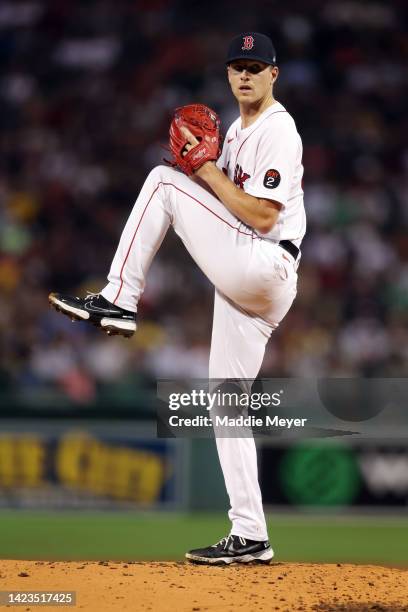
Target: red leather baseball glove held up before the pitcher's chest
(204, 124)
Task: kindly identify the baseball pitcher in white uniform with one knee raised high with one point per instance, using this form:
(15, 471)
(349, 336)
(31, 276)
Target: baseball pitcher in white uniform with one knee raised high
(239, 212)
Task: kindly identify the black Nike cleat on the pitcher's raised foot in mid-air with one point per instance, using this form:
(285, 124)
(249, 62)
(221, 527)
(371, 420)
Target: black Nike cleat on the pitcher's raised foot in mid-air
(98, 311)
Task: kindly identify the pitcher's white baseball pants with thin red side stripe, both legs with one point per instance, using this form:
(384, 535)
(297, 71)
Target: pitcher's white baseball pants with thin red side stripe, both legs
(255, 285)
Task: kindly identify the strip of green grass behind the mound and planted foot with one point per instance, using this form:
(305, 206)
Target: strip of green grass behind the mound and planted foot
(131, 536)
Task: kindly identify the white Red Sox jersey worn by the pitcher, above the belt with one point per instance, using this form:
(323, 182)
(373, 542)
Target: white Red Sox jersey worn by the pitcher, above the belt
(265, 160)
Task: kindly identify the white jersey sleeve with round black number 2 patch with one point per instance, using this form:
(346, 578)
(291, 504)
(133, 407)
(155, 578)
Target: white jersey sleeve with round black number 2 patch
(275, 161)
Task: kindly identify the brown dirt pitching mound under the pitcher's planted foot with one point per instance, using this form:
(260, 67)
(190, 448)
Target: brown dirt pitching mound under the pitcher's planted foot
(180, 586)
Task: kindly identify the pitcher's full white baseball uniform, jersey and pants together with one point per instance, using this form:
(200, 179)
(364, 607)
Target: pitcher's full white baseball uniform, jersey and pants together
(254, 278)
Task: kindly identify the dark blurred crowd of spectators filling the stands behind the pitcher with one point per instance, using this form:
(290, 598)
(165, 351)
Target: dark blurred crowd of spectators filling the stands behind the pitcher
(87, 90)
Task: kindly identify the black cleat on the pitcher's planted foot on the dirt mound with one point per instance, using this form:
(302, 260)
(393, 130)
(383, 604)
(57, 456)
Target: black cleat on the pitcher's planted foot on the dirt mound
(233, 549)
